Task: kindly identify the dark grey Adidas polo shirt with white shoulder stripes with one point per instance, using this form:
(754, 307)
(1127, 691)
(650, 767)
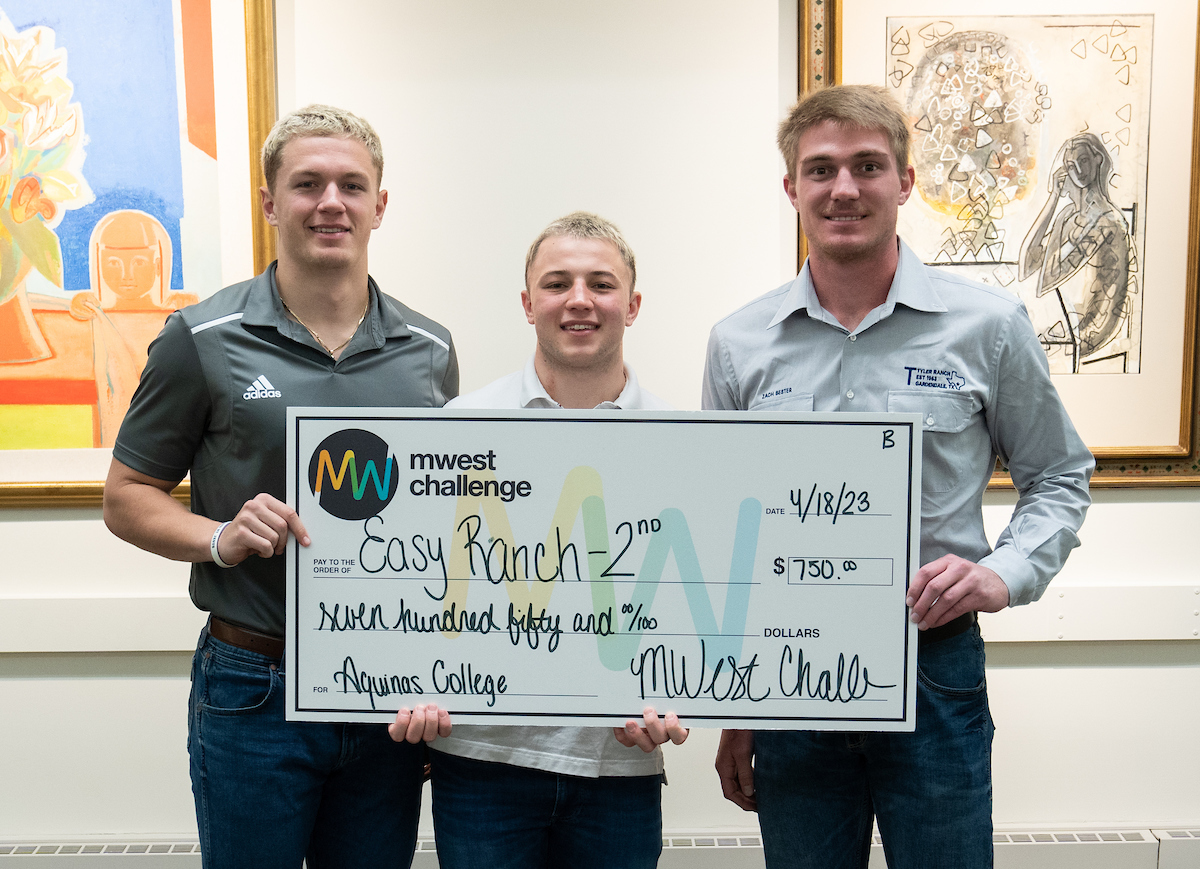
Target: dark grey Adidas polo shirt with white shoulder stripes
(214, 397)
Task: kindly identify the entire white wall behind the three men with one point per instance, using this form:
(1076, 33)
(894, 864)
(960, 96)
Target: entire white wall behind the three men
(499, 118)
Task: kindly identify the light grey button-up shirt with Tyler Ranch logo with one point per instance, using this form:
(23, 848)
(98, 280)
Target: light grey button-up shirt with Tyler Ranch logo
(962, 355)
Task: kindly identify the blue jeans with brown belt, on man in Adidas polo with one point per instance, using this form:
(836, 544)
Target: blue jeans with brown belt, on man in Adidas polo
(272, 793)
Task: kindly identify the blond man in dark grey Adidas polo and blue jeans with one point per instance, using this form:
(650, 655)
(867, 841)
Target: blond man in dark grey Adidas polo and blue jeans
(314, 329)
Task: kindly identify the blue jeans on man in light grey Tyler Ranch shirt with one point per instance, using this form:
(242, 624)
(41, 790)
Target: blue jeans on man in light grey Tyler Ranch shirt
(931, 789)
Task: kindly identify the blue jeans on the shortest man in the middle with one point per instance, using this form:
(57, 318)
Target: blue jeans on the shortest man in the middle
(502, 817)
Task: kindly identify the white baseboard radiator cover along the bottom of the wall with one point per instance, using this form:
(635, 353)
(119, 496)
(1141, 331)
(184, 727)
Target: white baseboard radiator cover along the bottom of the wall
(1091, 849)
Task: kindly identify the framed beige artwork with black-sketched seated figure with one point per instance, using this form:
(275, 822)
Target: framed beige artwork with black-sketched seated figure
(1048, 149)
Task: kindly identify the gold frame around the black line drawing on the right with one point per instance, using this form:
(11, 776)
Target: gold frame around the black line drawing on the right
(821, 64)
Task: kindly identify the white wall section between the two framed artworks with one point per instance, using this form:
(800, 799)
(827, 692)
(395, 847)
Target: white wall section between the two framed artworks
(499, 118)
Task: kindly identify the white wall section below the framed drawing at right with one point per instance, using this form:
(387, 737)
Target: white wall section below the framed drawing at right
(1103, 732)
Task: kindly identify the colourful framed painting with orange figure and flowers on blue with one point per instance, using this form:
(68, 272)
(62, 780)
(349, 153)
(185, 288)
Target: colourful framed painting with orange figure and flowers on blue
(113, 199)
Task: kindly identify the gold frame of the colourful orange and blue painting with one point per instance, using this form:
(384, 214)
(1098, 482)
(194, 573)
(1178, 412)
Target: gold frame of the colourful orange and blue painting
(261, 107)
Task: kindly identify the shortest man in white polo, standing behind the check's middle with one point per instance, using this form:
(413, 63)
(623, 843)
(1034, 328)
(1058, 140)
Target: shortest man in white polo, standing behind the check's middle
(524, 798)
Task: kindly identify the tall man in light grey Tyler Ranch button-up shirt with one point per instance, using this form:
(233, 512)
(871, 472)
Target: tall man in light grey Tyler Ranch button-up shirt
(847, 335)
